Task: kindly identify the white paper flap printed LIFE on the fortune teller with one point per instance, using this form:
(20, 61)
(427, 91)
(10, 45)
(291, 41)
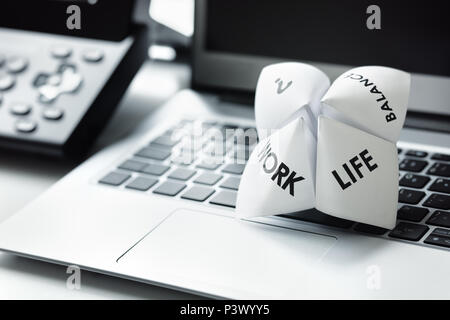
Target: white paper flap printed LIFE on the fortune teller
(357, 175)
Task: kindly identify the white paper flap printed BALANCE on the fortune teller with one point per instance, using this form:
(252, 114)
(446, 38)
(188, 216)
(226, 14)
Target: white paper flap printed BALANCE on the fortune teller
(371, 98)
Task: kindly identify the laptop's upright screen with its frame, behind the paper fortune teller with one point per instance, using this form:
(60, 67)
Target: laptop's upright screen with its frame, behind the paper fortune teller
(235, 39)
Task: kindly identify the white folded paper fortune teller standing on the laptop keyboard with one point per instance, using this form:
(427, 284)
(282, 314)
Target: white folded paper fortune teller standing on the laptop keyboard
(331, 147)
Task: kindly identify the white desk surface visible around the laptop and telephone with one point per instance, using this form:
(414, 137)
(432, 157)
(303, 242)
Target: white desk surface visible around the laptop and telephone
(23, 178)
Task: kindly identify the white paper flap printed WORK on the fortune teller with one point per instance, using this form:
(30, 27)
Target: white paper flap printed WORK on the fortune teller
(279, 176)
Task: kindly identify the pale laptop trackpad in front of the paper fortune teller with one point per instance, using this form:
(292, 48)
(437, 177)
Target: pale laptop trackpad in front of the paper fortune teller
(213, 253)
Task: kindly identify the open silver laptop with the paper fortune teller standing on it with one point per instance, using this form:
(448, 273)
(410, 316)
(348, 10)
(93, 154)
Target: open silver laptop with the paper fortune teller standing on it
(154, 208)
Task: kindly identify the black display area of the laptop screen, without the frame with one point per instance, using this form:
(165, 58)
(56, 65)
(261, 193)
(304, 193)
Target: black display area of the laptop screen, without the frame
(412, 36)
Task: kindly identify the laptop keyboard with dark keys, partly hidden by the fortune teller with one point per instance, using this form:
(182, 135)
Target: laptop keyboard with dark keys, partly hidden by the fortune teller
(203, 162)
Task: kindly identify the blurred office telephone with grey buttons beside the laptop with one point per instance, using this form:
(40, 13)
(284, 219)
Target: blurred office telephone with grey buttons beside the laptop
(58, 87)
